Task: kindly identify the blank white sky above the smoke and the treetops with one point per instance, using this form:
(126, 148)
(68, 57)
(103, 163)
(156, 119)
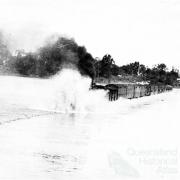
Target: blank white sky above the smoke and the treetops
(147, 31)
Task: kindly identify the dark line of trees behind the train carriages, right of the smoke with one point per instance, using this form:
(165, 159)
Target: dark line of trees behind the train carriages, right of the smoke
(159, 74)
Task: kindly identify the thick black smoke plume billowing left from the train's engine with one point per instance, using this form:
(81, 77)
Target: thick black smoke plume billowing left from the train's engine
(53, 57)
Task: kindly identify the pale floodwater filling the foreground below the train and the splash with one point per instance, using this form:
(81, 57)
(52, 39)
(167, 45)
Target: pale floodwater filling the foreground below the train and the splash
(130, 139)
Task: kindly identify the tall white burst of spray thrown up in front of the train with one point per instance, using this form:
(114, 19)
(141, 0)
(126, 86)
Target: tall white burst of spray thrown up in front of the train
(72, 92)
